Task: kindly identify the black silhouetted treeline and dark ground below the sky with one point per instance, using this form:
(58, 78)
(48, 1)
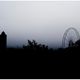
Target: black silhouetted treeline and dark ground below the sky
(38, 61)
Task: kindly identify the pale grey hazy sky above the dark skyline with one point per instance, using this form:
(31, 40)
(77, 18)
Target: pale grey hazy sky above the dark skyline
(43, 21)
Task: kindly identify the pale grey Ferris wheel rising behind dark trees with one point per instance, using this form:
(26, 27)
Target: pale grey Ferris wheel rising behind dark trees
(70, 36)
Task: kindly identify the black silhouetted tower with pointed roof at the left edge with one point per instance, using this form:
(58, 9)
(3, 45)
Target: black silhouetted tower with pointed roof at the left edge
(3, 40)
